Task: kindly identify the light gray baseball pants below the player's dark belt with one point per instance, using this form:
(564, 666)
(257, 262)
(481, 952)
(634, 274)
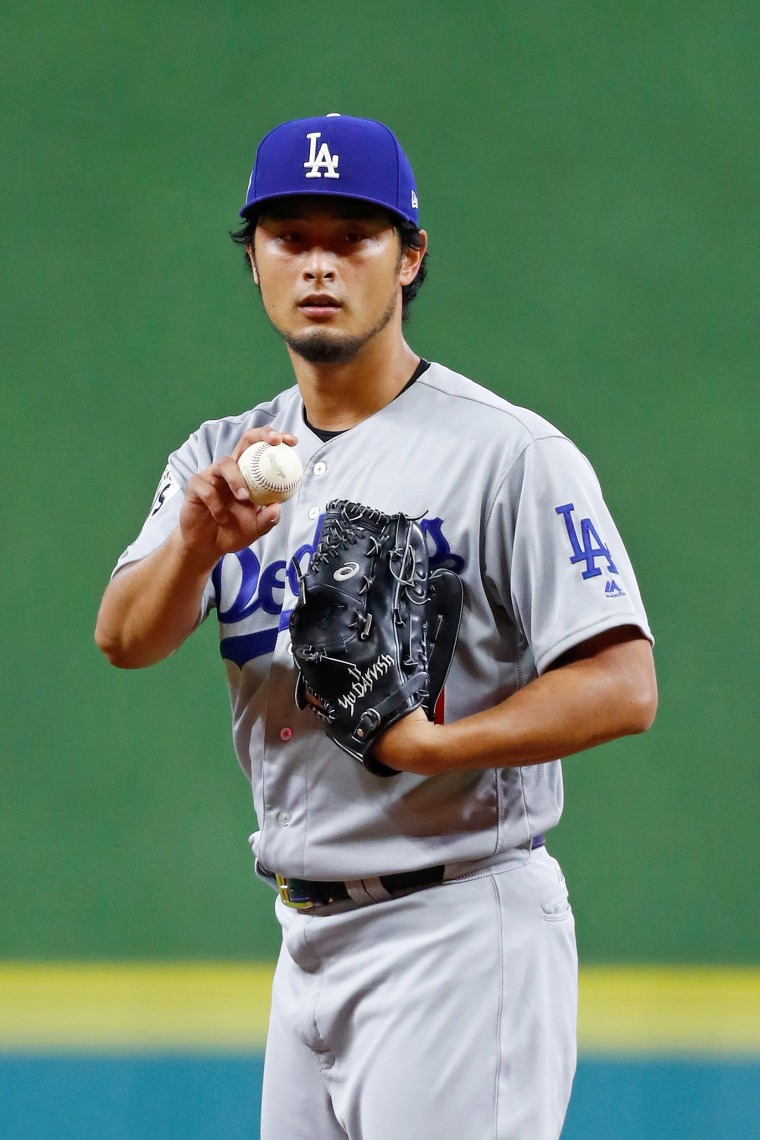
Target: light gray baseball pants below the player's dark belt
(445, 1015)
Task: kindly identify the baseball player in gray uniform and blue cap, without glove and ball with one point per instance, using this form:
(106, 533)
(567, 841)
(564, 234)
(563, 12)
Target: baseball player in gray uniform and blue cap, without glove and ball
(427, 986)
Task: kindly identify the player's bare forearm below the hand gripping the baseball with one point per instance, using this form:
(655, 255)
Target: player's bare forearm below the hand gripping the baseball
(152, 607)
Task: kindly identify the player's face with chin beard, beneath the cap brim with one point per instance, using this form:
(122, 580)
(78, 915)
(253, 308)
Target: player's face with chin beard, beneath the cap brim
(331, 273)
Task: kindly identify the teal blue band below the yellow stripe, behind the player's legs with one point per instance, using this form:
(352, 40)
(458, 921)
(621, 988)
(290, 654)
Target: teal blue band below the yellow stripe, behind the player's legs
(213, 1098)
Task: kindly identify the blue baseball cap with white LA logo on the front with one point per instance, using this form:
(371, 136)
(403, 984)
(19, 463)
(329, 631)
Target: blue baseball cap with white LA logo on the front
(334, 154)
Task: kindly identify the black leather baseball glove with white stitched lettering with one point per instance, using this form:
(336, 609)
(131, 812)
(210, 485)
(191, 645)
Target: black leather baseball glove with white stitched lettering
(374, 632)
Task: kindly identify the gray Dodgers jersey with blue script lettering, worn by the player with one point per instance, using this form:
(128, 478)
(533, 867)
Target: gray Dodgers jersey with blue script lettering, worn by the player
(511, 506)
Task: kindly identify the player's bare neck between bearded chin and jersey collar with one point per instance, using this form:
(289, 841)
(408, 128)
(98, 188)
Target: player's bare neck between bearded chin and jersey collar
(338, 397)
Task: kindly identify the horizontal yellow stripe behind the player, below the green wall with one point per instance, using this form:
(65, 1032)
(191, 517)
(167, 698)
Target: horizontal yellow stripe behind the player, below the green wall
(143, 1008)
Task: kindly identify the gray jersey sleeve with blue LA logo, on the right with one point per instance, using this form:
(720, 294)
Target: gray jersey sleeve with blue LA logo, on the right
(555, 556)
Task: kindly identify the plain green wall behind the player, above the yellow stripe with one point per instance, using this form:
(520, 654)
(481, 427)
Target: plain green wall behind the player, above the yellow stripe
(590, 181)
